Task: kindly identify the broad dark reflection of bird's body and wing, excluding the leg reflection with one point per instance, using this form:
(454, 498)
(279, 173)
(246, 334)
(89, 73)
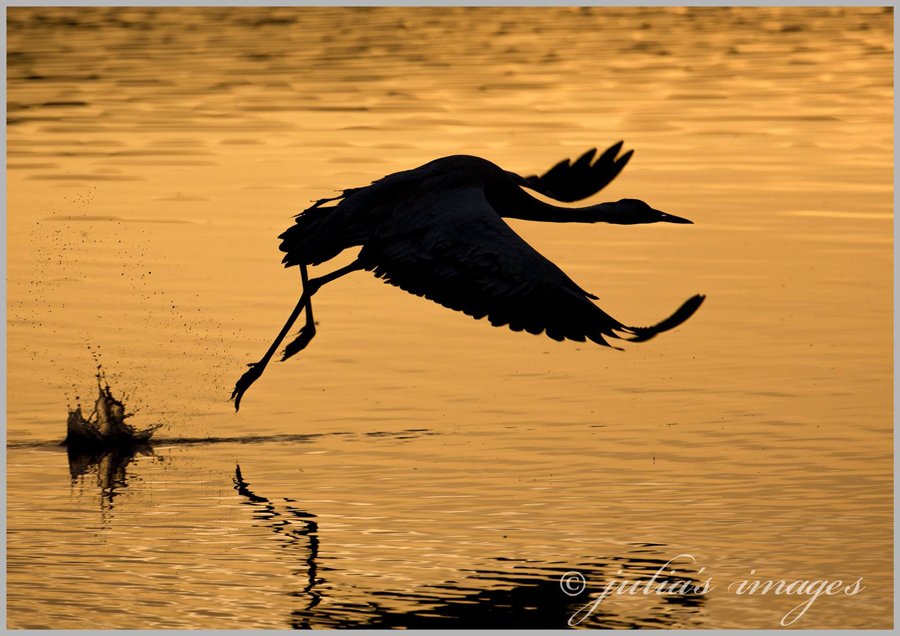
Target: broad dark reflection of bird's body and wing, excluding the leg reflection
(520, 594)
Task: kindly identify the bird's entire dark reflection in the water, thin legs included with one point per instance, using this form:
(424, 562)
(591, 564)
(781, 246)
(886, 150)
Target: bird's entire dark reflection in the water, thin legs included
(515, 594)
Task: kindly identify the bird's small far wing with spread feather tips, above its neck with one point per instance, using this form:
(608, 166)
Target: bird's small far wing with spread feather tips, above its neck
(567, 181)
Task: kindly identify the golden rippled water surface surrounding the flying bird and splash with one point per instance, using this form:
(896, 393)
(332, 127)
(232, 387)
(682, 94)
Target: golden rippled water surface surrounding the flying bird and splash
(415, 467)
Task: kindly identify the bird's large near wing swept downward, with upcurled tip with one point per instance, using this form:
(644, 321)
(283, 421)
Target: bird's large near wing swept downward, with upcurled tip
(454, 249)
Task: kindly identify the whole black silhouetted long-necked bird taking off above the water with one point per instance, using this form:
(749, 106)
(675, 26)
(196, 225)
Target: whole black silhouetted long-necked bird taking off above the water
(437, 231)
